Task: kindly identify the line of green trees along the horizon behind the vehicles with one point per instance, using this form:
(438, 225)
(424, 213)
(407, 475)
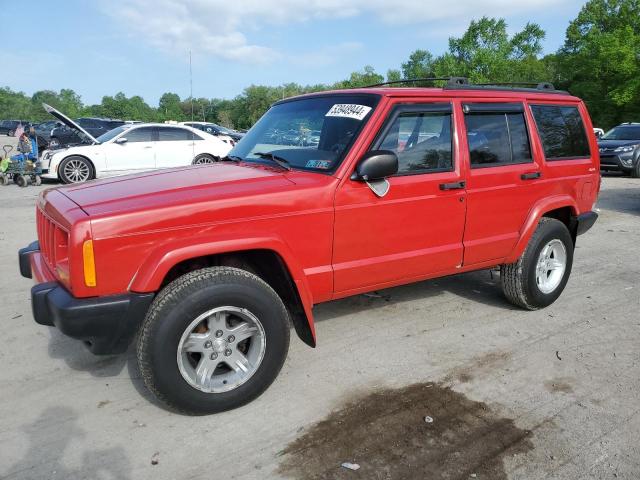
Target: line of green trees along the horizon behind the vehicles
(599, 62)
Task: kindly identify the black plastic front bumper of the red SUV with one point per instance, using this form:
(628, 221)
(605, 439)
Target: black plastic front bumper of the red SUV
(105, 324)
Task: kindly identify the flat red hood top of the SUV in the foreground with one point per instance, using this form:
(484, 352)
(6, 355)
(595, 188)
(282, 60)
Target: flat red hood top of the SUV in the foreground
(172, 189)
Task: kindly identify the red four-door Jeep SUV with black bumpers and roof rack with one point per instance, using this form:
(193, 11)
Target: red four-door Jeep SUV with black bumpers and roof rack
(207, 266)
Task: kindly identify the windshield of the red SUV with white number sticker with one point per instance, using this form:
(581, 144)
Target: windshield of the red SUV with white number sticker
(310, 134)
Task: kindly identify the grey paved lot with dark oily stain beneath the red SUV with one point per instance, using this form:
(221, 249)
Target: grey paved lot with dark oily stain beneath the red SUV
(512, 394)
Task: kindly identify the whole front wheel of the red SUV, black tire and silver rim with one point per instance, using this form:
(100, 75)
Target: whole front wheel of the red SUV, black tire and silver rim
(213, 340)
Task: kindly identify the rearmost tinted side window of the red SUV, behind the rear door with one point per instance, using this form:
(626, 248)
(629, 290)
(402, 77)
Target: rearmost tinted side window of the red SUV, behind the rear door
(561, 131)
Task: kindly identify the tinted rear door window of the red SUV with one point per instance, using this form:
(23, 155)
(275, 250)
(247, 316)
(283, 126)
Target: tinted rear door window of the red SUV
(497, 135)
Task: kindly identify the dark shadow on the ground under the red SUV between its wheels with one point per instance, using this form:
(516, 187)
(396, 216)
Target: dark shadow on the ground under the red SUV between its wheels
(481, 286)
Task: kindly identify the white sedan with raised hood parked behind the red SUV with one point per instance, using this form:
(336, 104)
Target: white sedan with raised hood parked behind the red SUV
(133, 148)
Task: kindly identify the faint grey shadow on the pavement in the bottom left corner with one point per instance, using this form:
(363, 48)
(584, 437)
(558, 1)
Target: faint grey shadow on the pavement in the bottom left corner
(50, 436)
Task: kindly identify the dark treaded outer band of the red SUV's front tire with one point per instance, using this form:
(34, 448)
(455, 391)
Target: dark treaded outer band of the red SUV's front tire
(170, 296)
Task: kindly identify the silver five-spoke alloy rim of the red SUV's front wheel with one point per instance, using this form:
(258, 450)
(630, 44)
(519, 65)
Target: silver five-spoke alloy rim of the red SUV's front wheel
(221, 349)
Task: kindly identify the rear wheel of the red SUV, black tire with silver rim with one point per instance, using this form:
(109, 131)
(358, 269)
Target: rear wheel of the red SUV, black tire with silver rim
(539, 276)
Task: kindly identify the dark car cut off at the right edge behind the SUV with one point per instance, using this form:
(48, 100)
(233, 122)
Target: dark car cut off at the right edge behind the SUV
(620, 149)
